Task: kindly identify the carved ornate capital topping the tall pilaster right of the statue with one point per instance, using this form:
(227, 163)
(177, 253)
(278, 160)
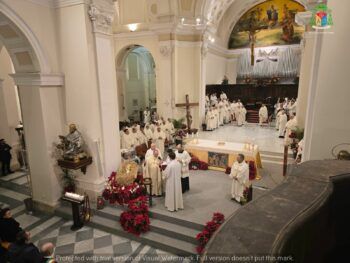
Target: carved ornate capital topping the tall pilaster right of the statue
(102, 13)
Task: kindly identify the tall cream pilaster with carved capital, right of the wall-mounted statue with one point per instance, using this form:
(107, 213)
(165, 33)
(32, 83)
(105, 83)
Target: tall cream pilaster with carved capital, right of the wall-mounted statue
(101, 13)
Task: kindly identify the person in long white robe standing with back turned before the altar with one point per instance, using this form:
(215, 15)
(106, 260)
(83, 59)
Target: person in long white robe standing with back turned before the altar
(173, 191)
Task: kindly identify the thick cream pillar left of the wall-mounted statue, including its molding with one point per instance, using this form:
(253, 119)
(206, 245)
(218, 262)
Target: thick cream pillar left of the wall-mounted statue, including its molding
(43, 117)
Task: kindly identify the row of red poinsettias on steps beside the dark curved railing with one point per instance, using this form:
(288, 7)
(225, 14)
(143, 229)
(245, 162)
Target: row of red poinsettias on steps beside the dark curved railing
(208, 231)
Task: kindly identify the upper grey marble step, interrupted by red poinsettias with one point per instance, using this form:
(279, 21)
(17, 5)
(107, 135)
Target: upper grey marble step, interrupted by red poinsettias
(180, 232)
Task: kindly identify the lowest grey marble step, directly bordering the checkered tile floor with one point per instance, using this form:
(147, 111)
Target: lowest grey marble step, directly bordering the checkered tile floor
(151, 238)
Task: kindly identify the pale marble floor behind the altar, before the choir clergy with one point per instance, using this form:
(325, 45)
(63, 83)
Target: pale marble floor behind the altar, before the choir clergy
(265, 137)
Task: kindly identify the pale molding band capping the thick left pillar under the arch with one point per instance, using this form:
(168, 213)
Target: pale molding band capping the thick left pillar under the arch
(37, 79)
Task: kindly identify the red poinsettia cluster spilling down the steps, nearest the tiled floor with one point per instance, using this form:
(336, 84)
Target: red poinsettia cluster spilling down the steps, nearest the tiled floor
(136, 219)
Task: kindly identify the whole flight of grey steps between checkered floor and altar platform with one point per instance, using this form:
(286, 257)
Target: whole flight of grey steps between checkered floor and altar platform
(158, 236)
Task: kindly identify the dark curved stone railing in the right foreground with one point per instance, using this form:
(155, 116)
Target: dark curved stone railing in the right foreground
(305, 219)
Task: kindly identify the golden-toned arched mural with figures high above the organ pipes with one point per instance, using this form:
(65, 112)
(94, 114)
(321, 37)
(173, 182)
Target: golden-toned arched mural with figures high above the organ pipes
(267, 24)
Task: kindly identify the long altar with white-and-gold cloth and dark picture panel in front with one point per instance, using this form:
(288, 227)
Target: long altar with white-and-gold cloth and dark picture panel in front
(220, 155)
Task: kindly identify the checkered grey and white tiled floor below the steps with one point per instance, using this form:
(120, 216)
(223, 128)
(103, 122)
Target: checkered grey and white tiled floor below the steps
(85, 245)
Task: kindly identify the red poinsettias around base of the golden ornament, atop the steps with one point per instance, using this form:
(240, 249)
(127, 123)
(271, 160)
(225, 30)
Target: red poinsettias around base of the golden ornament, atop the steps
(121, 194)
